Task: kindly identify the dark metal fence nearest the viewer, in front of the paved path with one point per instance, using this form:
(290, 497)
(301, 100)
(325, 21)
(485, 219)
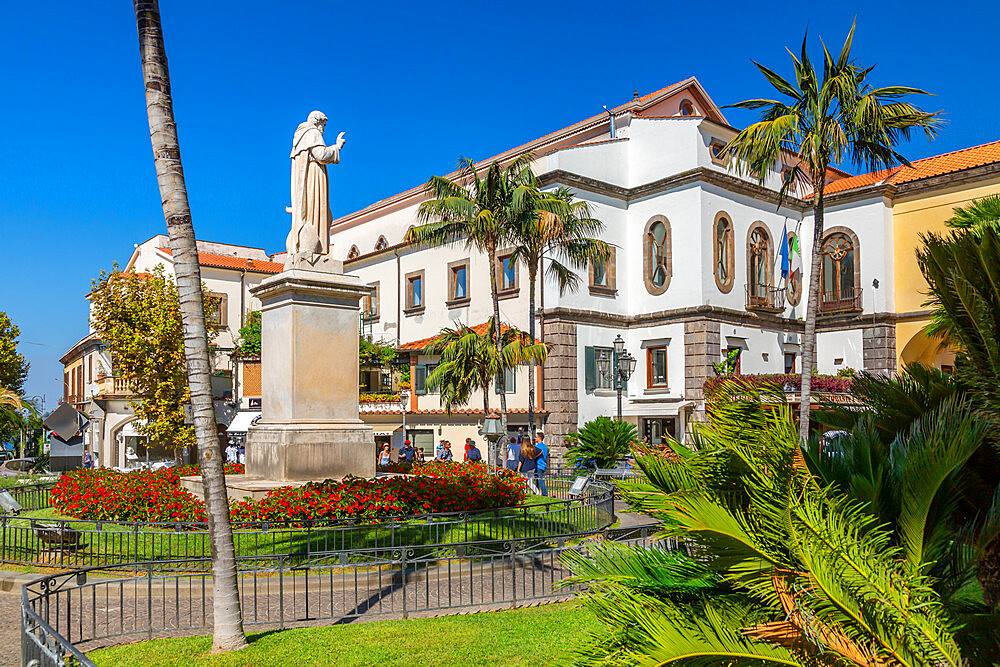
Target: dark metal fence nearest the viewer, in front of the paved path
(79, 609)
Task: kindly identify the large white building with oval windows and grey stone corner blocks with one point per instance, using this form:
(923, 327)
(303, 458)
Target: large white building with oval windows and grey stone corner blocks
(692, 275)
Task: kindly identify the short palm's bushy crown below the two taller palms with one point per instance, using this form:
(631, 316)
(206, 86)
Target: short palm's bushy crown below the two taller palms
(469, 361)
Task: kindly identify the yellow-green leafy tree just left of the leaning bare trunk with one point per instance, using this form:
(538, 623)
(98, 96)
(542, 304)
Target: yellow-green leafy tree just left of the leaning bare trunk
(138, 317)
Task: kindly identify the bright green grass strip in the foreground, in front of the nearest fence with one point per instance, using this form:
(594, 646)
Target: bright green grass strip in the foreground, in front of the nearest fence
(535, 636)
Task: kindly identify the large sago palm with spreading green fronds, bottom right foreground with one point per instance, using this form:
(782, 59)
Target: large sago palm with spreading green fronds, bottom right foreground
(804, 575)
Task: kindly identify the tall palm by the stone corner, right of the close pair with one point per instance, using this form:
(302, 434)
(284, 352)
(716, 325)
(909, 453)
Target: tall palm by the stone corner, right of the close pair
(554, 227)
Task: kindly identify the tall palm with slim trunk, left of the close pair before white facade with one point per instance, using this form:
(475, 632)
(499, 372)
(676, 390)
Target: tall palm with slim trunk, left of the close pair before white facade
(481, 211)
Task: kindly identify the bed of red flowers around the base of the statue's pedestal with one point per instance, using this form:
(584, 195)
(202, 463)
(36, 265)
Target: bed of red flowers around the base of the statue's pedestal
(156, 496)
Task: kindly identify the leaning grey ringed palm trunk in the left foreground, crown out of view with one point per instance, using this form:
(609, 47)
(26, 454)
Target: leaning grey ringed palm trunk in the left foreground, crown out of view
(227, 615)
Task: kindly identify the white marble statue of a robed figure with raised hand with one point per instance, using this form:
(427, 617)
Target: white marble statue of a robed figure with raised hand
(308, 242)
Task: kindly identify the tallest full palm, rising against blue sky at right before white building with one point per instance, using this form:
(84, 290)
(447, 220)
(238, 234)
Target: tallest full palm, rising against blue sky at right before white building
(825, 122)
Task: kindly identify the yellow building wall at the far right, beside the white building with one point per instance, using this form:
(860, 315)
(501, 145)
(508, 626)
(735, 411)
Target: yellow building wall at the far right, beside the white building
(912, 216)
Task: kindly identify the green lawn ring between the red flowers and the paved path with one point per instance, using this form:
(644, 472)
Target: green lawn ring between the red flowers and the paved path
(169, 544)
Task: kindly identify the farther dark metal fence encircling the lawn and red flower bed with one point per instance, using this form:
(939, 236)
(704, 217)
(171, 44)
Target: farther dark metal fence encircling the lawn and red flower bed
(76, 543)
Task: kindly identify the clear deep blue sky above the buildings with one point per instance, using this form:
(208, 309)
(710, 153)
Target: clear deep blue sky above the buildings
(414, 84)
